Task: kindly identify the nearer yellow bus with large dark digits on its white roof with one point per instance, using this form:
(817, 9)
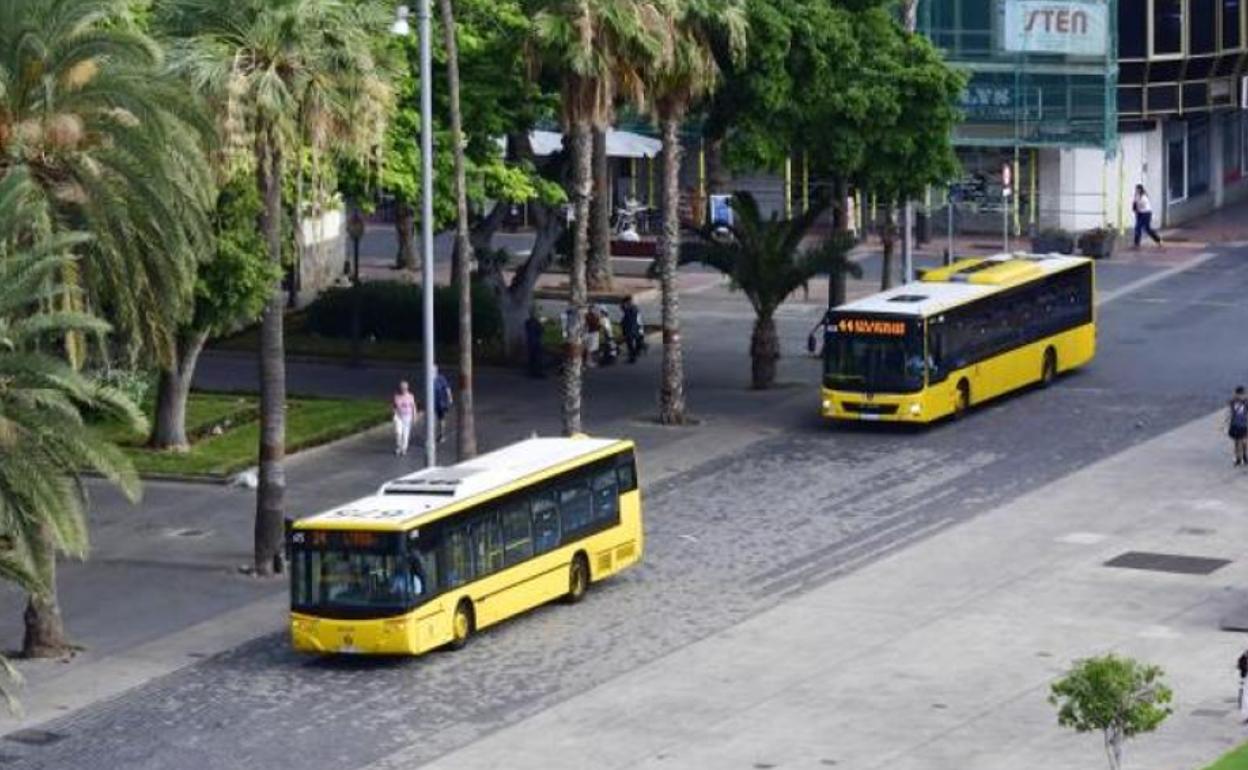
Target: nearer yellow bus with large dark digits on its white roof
(446, 552)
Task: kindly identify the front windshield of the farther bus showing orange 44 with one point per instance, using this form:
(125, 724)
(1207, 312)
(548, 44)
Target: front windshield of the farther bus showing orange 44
(874, 354)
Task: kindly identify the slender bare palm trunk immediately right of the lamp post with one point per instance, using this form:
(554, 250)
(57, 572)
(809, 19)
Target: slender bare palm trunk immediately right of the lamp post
(464, 244)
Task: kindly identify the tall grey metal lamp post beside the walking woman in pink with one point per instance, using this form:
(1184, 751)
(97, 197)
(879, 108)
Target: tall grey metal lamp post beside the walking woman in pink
(402, 29)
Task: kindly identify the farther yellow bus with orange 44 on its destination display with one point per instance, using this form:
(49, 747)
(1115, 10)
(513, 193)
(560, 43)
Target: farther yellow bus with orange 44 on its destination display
(957, 338)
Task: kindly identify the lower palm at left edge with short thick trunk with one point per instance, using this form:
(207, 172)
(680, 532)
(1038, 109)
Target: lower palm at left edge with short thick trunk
(44, 444)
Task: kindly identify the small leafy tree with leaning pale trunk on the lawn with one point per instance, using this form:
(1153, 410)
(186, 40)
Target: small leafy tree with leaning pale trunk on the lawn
(232, 289)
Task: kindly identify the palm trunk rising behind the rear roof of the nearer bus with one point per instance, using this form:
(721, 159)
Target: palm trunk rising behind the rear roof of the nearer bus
(582, 153)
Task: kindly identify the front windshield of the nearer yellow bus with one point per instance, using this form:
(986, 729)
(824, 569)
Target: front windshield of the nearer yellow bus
(353, 575)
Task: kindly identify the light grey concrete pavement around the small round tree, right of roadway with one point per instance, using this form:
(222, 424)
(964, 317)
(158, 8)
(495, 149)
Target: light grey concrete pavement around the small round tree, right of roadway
(940, 657)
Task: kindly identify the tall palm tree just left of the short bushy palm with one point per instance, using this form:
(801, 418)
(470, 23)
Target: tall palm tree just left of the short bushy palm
(691, 74)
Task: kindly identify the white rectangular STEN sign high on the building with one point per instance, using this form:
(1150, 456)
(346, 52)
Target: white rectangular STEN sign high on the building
(1078, 28)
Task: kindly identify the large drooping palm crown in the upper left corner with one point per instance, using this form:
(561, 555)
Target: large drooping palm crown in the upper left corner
(115, 145)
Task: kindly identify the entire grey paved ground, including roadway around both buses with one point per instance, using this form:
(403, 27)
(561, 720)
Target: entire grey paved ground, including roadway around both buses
(812, 596)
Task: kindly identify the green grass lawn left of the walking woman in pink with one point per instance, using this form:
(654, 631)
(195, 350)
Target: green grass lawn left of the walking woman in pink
(309, 422)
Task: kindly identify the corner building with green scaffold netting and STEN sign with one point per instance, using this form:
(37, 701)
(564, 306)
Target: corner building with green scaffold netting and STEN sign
(1080, 100)
